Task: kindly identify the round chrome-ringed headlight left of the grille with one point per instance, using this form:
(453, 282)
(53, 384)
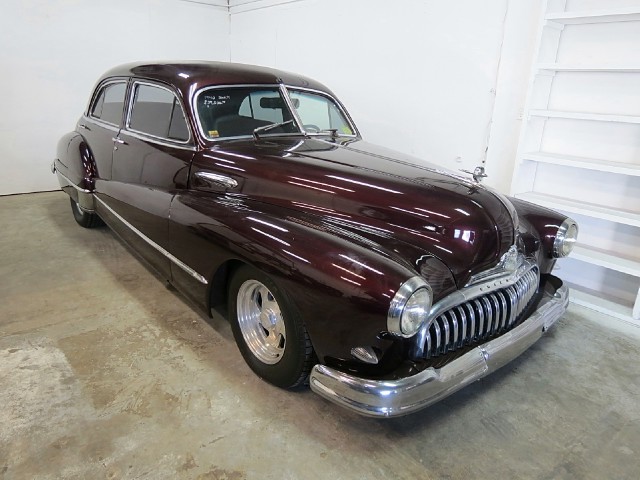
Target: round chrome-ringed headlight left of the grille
(409, 309)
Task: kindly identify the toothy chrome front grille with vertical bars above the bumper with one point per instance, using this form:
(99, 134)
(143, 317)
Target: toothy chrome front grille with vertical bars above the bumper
(480, 318)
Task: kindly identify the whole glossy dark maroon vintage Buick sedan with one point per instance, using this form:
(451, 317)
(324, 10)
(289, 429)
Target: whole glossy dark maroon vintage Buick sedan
(384, 282)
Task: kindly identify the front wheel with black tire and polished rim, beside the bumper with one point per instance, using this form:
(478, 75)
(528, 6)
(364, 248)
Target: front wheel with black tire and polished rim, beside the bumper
(280, 352)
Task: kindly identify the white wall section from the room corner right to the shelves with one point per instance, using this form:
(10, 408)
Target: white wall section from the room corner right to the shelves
(443, 80)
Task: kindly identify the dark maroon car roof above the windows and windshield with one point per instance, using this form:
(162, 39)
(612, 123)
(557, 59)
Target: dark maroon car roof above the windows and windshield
(189, 76)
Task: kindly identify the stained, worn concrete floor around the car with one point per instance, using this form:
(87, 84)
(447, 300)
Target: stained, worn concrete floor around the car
(106, 373)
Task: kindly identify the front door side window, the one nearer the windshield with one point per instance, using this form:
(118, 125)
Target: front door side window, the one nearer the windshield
(156, 111)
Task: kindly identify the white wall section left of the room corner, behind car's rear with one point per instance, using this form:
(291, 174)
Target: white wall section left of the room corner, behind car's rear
(53, 51)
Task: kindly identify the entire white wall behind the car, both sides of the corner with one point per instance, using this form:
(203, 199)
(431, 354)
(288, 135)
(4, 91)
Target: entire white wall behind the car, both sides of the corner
(444, 80)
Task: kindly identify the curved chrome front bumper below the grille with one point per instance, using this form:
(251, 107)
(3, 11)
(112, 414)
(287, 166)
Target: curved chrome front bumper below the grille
(393, 398)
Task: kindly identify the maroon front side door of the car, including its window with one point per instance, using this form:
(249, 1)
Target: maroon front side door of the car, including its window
(151, 159)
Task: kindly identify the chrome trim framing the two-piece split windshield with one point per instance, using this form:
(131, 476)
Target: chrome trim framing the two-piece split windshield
(277, 86)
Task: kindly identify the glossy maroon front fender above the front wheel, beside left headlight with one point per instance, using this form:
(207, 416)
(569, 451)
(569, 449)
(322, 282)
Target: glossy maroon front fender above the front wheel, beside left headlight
(341, 289)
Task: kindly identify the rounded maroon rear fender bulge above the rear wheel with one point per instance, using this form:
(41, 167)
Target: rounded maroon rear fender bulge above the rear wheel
(76, 170)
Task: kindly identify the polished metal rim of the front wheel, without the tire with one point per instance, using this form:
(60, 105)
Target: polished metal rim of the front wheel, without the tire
(261, 323)
